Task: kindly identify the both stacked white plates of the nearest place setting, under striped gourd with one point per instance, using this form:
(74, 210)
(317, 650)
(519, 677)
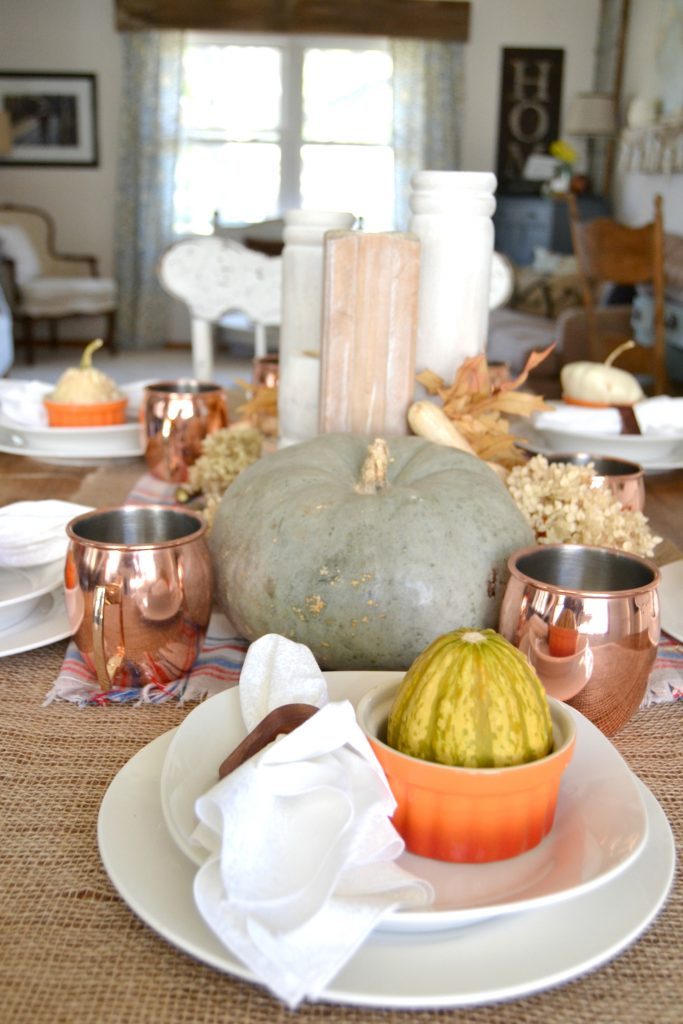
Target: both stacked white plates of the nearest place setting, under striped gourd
(495, 931)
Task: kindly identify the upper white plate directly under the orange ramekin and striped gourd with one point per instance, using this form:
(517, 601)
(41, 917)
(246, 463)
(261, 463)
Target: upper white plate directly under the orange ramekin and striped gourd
(601, 824)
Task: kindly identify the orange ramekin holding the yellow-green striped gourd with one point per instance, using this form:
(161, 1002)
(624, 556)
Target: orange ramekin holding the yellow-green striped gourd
(468, 815)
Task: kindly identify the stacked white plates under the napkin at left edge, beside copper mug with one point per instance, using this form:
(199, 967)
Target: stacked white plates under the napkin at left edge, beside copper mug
(32, 608)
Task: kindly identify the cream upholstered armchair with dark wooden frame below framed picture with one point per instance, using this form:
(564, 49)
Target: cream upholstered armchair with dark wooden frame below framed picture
(44, 285)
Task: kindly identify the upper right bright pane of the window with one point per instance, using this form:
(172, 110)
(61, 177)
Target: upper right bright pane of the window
(348, 97)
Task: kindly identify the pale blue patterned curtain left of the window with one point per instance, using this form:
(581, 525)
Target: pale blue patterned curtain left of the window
(150, 122)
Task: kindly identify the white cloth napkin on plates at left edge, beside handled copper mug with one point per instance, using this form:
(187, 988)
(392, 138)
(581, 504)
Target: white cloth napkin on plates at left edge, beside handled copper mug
(33, 533)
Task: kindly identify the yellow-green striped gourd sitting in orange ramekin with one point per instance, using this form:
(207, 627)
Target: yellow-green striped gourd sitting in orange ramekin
(472, 699)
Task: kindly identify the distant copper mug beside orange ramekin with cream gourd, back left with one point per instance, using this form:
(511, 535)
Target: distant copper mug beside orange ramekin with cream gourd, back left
(177, 416)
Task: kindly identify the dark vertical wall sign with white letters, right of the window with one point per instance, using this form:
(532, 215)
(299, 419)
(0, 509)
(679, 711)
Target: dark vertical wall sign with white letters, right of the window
(530, 115)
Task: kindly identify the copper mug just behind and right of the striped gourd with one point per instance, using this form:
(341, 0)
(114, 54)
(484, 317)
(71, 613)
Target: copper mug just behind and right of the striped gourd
(588, 621)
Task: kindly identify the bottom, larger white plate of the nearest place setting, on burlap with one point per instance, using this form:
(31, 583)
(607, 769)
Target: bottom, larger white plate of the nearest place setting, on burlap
(509, 957)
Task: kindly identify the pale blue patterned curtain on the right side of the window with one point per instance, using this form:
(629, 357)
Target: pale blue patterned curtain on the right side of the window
(429, 91)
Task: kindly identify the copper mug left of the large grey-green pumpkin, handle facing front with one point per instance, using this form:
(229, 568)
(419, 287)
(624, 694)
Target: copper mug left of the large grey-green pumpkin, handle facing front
(139, 586)
